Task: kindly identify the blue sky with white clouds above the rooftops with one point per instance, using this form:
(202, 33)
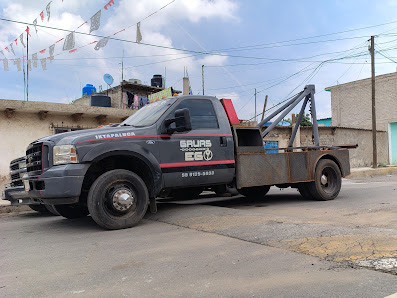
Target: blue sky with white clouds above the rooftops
(276, 47)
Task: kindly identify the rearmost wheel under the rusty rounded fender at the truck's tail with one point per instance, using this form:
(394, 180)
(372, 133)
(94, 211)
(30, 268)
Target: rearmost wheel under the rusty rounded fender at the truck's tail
(327, 181)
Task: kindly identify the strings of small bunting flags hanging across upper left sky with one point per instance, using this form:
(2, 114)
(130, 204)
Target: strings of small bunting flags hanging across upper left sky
(68, 41)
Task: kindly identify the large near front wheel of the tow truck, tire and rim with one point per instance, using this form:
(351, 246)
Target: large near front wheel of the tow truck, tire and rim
(107, 206)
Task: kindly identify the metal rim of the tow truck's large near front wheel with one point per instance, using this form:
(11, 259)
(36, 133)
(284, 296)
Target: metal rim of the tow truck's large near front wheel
(120, 199)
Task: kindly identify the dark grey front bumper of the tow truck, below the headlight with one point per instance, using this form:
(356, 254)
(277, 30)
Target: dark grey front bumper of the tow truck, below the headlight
(58, 185)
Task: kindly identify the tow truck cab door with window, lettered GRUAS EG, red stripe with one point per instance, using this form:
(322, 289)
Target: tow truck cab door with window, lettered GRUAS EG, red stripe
(202, 156)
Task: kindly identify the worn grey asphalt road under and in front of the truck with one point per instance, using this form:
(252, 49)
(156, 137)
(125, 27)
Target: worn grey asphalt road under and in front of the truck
(279, 246)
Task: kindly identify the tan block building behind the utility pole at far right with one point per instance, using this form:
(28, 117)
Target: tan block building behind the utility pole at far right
(351, 106)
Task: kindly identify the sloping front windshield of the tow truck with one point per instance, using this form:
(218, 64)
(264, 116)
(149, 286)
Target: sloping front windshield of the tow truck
(149, 114)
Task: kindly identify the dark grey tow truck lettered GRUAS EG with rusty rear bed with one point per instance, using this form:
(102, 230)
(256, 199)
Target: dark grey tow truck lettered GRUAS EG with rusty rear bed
(178, 145)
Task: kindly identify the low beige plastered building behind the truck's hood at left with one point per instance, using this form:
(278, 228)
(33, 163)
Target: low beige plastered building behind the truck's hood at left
(23, 122)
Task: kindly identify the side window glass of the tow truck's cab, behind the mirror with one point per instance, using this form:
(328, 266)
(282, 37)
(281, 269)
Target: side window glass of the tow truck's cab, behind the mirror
(202, 113)
